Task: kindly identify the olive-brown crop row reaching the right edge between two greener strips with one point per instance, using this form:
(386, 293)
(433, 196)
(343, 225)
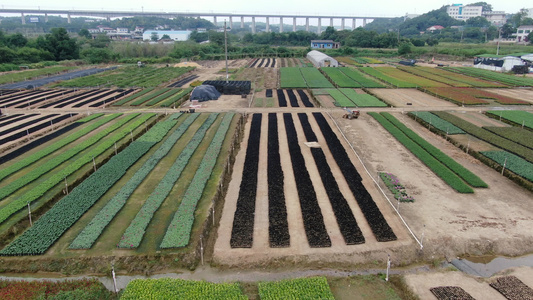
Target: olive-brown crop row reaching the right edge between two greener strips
(488, 136)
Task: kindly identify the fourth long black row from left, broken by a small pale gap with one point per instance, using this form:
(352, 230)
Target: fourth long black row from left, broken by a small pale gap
(343, 214)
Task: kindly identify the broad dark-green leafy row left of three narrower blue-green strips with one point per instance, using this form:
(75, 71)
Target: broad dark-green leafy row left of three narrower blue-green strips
(67, 211)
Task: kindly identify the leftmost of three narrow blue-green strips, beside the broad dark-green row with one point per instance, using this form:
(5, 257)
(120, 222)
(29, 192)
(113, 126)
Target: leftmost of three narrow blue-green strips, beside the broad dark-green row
(88, 236)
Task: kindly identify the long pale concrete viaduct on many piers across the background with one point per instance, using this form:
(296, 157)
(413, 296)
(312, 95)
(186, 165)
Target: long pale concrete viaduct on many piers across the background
(116, 14)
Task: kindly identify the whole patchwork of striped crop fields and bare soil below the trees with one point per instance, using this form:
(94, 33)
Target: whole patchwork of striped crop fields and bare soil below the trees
(121, 168)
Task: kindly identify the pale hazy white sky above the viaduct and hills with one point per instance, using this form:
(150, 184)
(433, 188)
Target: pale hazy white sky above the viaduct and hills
(392, 8)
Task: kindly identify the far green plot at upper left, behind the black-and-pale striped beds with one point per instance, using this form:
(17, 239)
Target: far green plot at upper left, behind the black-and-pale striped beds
(131, 76)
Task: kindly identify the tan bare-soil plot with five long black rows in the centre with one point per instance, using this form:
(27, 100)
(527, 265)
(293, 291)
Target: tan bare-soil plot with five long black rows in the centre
(297, 203)
